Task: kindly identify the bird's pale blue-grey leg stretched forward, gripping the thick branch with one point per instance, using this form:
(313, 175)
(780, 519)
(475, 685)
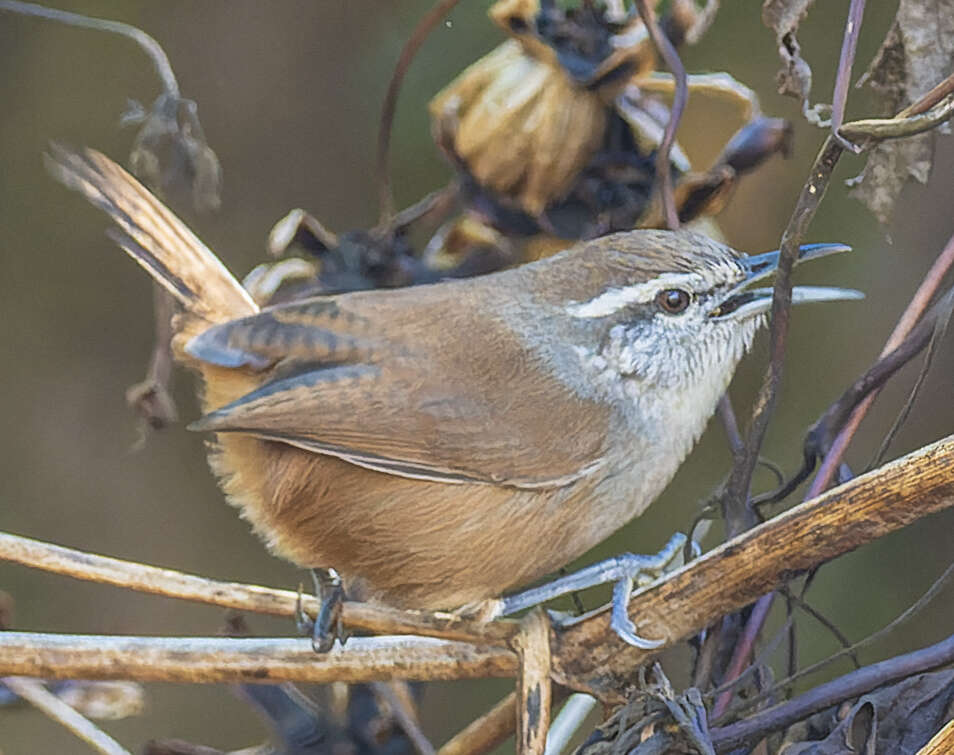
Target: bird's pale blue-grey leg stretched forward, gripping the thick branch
(626, 570)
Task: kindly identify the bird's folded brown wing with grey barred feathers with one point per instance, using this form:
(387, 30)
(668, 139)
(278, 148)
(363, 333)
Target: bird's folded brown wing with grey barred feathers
(410, 405)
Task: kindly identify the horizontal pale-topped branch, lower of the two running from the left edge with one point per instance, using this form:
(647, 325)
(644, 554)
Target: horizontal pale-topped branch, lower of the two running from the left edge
(205, 660)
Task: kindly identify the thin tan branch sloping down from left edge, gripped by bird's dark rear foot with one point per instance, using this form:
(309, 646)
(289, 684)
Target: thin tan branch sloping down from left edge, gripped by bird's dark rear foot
(241, 597)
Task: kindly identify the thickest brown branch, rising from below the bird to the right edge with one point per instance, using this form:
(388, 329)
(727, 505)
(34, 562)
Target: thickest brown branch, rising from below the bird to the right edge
(588, 657)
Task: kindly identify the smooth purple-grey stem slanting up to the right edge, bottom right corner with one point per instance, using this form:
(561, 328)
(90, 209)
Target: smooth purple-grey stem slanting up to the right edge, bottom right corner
(752, 729)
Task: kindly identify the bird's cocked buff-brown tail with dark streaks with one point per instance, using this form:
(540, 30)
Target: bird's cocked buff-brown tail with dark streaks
(153, 236)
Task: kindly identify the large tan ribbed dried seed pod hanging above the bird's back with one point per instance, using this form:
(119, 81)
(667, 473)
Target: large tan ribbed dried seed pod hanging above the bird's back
(524, 120)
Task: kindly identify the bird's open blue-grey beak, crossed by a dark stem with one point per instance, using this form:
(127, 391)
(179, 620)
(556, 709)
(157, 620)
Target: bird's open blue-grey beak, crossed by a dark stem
(743, 302)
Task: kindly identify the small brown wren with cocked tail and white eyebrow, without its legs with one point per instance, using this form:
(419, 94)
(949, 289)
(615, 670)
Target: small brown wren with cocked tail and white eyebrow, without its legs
(442, 445)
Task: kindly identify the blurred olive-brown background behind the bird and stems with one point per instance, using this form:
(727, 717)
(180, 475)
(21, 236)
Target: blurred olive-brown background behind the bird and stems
(289, 96)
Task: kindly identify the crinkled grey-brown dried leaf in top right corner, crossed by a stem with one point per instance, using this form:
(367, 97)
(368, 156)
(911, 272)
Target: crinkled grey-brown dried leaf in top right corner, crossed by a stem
(916, 54)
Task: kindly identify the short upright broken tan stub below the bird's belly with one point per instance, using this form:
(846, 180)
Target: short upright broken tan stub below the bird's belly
(533, 683)
